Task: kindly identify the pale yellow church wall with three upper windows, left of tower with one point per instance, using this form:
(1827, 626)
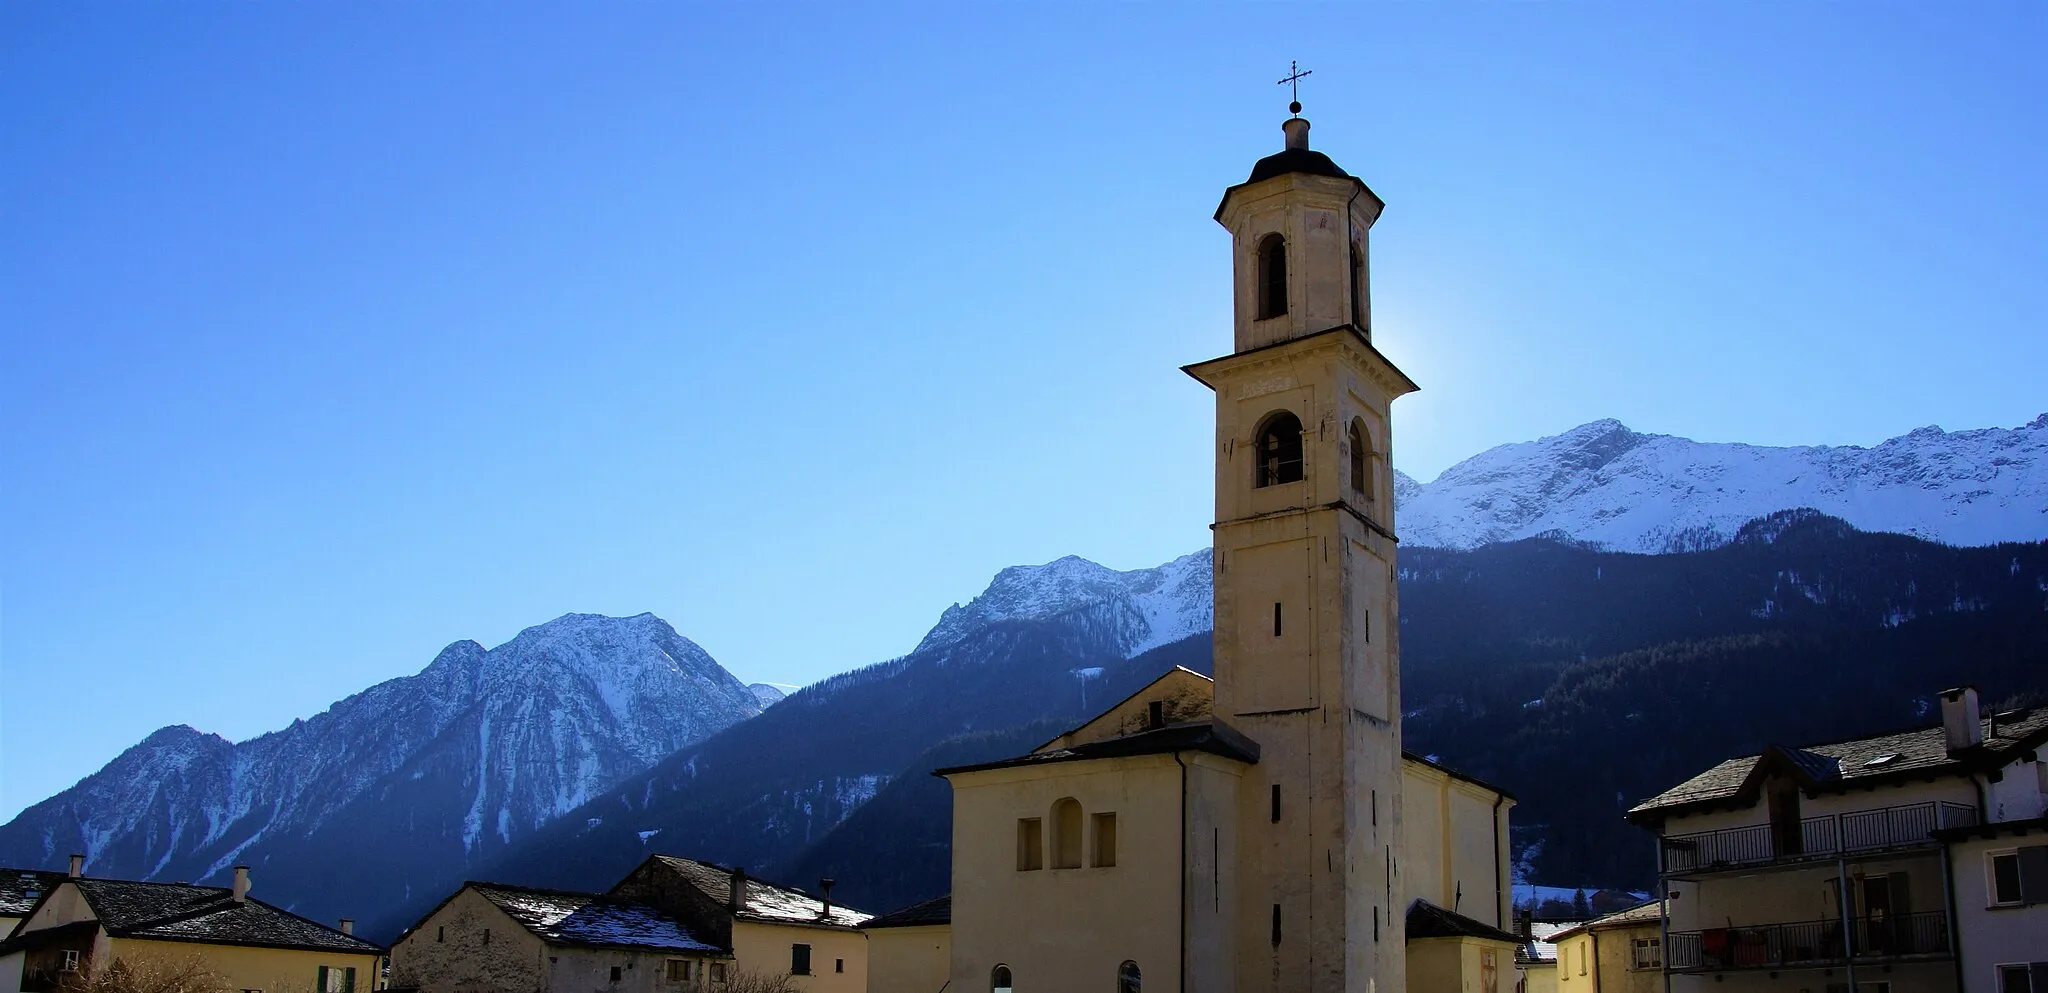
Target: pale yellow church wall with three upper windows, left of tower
(1072, 929)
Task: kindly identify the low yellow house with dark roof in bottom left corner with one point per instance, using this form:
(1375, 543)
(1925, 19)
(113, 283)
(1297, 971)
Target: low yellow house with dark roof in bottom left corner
(87, 924)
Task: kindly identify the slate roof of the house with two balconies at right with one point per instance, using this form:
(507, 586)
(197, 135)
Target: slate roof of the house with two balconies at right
(1844, 765)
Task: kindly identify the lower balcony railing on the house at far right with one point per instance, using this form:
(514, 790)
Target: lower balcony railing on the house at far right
(1809, 943)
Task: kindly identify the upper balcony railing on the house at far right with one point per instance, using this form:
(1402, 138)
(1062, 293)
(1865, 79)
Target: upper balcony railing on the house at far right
(1814, 838)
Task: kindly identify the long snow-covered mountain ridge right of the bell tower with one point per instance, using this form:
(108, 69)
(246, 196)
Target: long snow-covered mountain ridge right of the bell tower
(1623, 490)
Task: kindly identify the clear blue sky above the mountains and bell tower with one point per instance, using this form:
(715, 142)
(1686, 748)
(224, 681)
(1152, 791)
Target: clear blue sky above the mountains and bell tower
(337, 333)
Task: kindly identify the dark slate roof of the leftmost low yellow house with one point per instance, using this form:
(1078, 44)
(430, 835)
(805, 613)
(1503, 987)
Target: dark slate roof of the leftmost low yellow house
(177, 912)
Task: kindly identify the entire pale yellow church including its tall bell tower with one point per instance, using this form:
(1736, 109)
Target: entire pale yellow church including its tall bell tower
(1258, 832)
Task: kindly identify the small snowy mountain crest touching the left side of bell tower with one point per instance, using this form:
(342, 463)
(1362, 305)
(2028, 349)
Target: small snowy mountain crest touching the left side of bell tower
(1146, 607)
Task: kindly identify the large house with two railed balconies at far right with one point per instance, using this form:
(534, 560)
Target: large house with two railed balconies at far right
(1881, 865)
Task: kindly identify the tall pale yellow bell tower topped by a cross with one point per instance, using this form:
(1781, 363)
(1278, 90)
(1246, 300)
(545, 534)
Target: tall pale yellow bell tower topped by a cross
(1306, 640)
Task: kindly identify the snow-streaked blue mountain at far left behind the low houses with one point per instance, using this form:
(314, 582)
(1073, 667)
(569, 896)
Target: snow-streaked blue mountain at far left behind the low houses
(447, 765)
